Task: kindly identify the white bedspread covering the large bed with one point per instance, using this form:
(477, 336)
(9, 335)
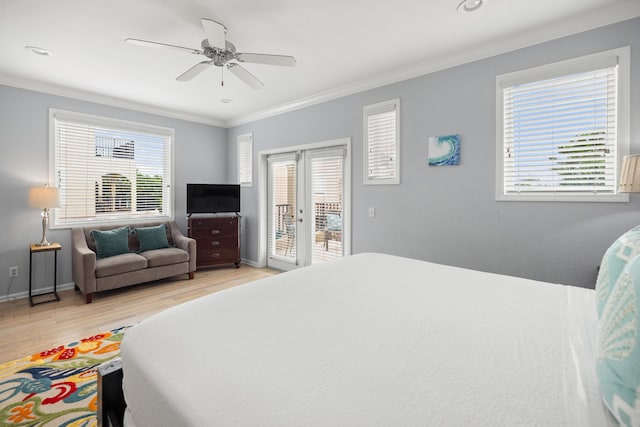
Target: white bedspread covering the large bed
(369, 340)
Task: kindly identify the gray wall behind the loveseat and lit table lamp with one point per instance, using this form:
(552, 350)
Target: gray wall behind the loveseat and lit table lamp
(200, 153)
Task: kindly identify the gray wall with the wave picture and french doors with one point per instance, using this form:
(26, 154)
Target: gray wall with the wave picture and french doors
(449, 214)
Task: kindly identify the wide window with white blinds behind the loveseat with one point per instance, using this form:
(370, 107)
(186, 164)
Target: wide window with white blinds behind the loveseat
(110, 170)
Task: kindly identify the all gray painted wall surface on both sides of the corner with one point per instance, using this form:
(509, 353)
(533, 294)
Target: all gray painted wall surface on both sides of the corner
(446, 214)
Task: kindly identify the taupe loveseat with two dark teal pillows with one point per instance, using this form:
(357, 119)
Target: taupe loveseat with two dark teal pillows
(111, 257)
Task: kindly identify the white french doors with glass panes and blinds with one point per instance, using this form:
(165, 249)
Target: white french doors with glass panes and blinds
(307, 207)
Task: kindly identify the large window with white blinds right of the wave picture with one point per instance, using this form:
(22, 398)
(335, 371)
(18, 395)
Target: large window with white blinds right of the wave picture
(563, 129)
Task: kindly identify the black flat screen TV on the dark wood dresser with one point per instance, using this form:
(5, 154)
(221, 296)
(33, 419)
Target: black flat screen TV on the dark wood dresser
(213, 198)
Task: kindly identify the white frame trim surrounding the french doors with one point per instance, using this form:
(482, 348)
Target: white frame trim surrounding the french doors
(263, 202)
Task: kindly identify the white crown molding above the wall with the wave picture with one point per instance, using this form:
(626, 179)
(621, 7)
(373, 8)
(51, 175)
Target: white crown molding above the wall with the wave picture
(560, 28)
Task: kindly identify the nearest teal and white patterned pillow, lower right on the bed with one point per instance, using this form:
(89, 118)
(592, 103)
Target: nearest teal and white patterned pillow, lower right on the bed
(618, 347)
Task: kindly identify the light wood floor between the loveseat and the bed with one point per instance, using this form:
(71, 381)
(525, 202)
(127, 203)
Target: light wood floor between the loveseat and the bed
(25, 330)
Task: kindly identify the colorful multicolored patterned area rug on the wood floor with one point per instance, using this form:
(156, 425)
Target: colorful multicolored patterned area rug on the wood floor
(57, 387)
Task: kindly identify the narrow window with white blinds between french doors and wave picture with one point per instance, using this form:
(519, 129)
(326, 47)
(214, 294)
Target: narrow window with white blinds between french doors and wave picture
(382, 143)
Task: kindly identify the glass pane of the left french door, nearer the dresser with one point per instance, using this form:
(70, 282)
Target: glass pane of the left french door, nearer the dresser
(283, 205)
